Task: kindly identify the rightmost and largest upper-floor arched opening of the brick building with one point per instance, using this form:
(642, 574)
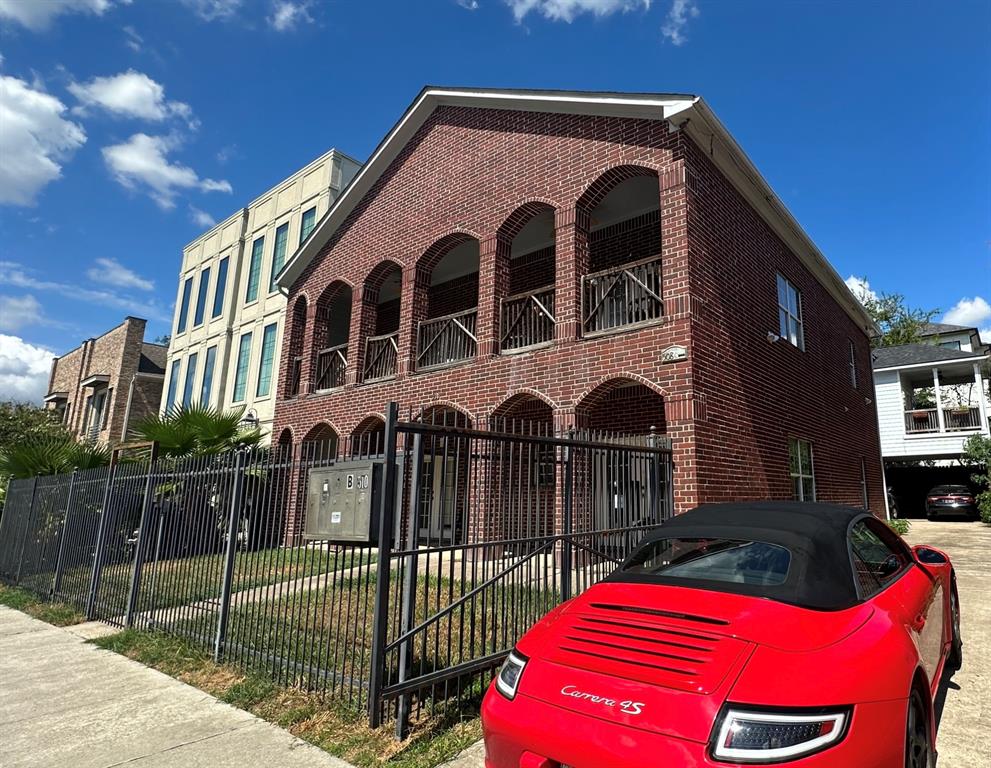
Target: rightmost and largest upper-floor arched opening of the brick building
(621, 215)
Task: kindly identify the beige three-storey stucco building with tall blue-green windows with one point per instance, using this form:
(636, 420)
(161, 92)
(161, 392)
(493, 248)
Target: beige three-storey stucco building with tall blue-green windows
(229, 317)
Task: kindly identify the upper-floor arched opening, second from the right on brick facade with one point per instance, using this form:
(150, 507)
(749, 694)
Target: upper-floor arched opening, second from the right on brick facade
(527, 242)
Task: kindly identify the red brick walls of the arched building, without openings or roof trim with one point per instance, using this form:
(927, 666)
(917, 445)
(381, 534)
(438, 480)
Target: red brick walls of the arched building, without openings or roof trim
(469, 173)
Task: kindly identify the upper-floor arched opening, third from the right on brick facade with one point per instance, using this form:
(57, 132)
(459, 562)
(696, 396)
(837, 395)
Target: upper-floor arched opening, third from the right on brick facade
(447, 284)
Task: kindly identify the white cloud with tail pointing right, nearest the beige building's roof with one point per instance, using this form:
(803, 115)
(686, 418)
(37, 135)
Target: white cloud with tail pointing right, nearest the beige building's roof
(142, 162)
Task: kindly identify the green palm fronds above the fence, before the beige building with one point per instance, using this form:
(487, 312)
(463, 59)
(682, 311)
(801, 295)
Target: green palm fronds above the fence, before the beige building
(196, 430)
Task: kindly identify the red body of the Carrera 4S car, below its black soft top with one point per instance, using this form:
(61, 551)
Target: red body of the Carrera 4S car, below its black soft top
(631, 674)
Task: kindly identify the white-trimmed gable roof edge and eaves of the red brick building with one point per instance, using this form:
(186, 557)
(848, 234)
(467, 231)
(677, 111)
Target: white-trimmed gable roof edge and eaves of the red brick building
(686, 111)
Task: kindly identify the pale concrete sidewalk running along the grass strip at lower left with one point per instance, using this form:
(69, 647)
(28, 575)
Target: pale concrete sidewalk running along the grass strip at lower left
(66, 703)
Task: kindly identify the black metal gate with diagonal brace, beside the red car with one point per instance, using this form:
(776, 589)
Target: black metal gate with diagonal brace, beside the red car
(494, 528)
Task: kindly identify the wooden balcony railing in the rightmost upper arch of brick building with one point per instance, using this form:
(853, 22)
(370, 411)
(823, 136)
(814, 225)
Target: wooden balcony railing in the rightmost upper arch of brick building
(623, 296)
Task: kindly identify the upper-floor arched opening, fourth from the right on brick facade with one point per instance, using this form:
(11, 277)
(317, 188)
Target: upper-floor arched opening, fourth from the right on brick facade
(382, 298)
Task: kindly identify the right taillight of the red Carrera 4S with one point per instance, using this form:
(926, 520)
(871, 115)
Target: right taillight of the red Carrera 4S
(758, 736)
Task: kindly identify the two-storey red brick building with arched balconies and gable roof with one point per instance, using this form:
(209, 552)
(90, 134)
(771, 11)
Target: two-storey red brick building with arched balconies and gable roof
(584, 259)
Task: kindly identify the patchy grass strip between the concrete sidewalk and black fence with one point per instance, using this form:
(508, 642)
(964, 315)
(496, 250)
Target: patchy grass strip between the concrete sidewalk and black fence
(341, 731)
